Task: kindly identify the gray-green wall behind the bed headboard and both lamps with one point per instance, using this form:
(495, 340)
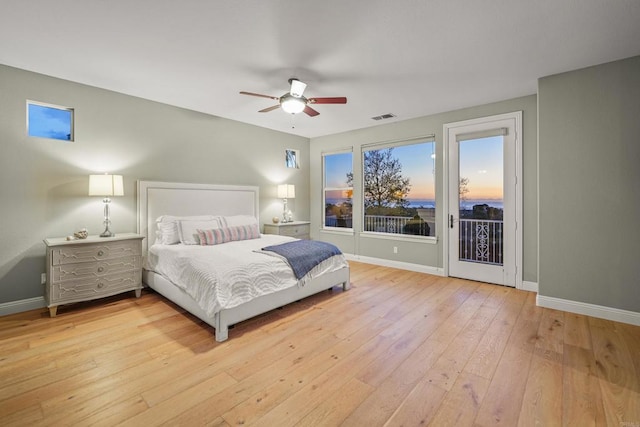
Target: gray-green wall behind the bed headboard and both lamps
(44, 183)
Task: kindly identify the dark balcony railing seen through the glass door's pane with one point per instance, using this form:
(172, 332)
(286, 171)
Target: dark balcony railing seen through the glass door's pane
(481, 241)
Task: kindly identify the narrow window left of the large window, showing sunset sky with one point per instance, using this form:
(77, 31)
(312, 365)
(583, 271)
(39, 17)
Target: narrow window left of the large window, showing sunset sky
(338, 189)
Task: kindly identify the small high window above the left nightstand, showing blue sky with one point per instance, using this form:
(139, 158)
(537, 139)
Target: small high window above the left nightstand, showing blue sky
(49, 121)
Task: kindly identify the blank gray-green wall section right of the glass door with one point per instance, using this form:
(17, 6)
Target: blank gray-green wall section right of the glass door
(590, 185)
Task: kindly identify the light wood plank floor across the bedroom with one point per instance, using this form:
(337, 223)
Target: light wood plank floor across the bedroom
(398, 349)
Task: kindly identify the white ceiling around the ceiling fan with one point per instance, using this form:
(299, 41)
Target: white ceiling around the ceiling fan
(406, 57)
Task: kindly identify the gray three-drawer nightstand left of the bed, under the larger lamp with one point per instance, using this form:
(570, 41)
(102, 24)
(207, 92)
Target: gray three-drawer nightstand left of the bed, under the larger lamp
(91, 268)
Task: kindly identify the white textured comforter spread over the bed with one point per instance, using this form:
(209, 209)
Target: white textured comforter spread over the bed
(227, 275)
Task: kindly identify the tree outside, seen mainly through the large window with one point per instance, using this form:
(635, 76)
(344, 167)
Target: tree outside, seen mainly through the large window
(384, 186)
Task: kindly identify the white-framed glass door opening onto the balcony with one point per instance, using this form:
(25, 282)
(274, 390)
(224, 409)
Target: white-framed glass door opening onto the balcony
(481, 217)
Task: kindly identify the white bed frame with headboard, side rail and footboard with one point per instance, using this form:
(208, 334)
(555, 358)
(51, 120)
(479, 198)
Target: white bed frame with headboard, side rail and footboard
(180, 199)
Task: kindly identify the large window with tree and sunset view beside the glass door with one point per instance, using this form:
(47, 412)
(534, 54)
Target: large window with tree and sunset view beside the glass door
(399, 188)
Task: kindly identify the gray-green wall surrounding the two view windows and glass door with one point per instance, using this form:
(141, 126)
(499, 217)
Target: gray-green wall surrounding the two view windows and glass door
(427, 253)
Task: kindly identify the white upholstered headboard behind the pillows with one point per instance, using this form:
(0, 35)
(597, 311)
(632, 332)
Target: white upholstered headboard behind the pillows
(183, 199)
